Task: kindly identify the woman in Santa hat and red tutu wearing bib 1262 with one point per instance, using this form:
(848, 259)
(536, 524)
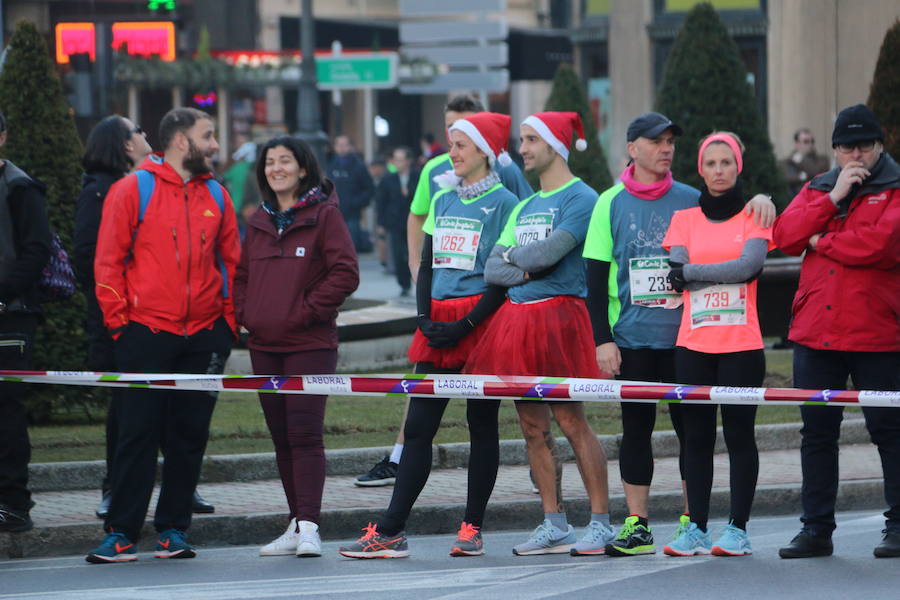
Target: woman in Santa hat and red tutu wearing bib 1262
(455, 306)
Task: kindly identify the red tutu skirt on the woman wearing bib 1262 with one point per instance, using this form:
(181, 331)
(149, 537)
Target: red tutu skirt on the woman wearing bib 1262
(452, 309)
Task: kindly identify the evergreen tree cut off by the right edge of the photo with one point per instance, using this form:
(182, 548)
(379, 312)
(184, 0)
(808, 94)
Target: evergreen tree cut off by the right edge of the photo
(884, 95)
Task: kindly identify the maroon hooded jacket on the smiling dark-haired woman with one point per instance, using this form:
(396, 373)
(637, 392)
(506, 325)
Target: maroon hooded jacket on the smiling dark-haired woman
(288, 287)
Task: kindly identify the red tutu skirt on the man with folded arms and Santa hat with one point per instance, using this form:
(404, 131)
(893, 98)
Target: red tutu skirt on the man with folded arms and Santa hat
(552, 338)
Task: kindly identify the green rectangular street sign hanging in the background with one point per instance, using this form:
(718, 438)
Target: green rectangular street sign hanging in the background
(357, 70)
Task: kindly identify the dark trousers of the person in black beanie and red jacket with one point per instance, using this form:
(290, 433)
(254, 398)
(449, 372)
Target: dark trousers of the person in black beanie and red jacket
(829, 369)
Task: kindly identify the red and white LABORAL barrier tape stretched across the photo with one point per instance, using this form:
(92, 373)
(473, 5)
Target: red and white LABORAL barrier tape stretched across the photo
(465, 386)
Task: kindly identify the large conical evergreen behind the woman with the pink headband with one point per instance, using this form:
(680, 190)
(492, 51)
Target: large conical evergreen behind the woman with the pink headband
(705, 89)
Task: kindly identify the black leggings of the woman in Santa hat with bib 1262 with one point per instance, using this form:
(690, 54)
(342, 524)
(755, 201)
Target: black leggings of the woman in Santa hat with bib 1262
(422, 423)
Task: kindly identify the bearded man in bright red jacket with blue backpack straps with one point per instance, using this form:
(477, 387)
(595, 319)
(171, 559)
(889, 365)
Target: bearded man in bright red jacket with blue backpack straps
(166, 254)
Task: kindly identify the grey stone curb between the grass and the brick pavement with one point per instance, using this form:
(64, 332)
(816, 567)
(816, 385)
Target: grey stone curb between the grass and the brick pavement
(87, 475)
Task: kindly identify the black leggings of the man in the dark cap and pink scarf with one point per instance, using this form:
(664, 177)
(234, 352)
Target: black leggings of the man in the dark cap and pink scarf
(639, 419)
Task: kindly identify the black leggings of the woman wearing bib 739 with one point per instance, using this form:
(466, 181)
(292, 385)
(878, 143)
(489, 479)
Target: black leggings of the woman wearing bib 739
(738, 369)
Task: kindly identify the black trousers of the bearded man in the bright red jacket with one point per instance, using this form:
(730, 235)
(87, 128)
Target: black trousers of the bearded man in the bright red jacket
(149, 418)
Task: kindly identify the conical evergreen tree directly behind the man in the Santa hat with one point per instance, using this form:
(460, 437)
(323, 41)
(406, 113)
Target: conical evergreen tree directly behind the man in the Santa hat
(568, 95)
